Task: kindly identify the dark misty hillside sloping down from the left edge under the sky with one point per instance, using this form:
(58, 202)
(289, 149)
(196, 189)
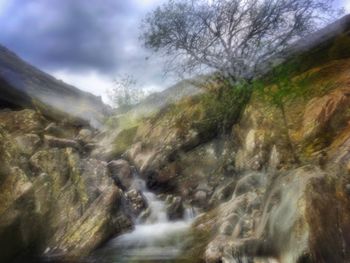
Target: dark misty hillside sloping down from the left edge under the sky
(23, 85)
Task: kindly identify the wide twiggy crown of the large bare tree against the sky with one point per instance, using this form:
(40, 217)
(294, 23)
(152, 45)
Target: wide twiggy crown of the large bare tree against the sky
(229, 36)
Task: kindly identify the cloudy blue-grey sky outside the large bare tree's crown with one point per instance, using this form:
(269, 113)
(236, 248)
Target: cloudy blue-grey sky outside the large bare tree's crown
(86, 43)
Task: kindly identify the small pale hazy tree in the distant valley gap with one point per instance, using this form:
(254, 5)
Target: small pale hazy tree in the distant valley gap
(125, 92)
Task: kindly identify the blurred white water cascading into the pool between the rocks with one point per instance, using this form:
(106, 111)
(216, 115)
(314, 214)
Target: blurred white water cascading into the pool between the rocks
(155, 240)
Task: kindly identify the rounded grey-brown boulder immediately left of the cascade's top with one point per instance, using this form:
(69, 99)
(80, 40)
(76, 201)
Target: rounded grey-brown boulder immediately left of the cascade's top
(121, 173)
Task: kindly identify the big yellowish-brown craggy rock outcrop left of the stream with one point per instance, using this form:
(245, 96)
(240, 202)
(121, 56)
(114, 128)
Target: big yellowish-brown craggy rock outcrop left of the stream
(54, 201)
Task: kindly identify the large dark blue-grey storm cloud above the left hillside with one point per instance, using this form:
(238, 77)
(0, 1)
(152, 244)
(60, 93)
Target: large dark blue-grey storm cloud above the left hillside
(78, 35)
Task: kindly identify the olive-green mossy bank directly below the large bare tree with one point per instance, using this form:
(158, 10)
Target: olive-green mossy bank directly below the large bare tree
(211, 112)
